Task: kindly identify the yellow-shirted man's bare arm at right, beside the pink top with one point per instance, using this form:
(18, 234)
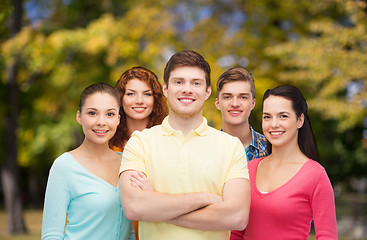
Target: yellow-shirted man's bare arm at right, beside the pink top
(230, 214)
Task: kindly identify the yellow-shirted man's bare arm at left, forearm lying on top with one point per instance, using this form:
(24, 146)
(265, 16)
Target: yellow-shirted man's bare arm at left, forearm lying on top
(152, 206)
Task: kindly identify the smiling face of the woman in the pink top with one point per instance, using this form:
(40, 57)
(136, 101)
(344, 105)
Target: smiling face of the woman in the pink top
(280, 123)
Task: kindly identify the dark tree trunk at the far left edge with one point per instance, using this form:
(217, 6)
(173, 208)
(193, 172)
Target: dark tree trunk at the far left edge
(10, 169)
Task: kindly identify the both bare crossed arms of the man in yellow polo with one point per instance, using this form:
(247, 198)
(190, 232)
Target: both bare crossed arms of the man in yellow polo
(203, 211)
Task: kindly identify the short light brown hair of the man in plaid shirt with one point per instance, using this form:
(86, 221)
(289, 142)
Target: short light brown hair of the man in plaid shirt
(236, 74)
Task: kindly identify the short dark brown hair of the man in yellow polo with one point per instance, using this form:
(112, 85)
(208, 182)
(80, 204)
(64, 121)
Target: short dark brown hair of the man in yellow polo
(187, 58)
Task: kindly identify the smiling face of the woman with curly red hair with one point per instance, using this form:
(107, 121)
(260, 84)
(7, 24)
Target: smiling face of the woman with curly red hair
(138, 100)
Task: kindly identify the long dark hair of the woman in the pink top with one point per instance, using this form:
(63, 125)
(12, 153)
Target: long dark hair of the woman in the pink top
(306, 139)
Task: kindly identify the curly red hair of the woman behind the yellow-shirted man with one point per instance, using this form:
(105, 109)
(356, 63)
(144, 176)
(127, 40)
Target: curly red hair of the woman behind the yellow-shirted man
(159, 111)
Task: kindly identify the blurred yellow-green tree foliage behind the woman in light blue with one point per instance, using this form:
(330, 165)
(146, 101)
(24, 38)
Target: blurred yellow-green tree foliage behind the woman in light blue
(55, 67)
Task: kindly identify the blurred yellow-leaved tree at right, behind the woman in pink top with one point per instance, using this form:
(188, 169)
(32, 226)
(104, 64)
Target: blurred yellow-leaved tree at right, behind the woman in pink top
(328, 64)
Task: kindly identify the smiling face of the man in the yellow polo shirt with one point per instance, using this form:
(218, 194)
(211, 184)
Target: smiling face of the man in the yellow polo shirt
(186, 92)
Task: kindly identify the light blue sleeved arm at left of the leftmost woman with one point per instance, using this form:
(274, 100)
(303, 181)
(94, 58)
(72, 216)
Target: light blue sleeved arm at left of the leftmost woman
(56, 203)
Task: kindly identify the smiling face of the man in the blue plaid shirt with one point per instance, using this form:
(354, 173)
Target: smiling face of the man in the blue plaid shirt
(235, 102)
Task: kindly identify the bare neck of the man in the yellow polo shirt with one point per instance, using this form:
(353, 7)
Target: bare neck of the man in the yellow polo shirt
(185, 125)
